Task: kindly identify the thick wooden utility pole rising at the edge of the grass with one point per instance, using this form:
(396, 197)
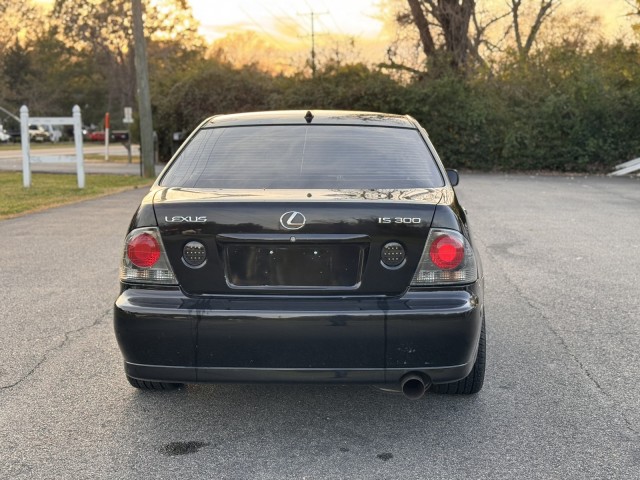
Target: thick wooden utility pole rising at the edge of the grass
(144, 95)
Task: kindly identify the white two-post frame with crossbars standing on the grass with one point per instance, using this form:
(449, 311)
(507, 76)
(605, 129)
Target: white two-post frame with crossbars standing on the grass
(27, 159)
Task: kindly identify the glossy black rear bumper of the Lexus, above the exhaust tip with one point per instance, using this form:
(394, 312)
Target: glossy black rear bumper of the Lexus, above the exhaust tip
(167, 336)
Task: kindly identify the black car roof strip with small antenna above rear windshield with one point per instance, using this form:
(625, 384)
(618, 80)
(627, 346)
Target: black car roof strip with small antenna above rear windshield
(300, 117)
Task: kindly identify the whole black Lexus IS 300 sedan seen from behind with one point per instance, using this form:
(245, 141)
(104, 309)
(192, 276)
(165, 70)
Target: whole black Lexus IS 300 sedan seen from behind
(295, 246)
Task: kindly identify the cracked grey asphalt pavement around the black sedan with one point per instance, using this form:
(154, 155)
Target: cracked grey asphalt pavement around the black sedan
(561, 398)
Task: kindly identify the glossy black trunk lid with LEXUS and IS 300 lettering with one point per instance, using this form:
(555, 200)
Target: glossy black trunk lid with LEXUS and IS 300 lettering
(305, 242)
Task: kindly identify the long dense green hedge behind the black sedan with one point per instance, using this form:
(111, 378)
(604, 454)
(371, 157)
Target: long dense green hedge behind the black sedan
(562, 110)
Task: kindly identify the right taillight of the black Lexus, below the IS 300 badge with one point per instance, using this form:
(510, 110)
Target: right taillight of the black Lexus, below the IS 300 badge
(447, 259)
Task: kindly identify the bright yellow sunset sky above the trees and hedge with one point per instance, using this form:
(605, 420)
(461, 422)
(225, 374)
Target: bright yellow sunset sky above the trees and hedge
(276, 34)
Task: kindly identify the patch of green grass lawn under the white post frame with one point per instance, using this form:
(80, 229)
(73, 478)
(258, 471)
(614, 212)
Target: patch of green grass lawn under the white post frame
(50, 190)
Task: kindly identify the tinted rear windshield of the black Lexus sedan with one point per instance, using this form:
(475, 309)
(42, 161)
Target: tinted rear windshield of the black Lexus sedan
(305, 156)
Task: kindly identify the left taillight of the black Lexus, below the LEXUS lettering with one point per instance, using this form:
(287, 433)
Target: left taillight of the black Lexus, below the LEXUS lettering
(145, 259)
